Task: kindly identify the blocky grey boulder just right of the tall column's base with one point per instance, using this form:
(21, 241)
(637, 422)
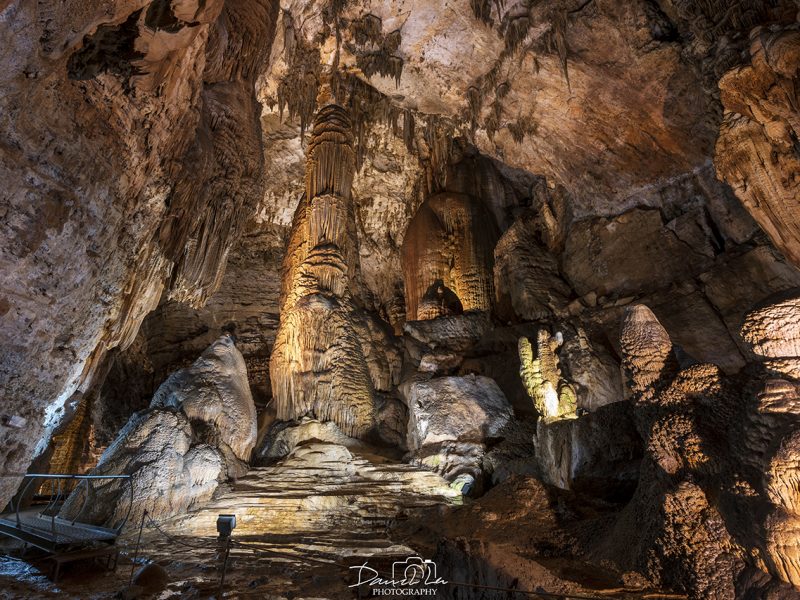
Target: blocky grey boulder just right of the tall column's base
(457, 409)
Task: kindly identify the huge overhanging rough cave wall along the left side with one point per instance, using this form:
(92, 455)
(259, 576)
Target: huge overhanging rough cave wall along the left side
(112, 115)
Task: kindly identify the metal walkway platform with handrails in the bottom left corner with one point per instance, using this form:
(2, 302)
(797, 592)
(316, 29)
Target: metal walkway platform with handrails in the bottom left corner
(44, 529)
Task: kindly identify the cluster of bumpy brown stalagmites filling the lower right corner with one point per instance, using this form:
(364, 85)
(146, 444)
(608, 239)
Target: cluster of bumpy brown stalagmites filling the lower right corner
(718, 454)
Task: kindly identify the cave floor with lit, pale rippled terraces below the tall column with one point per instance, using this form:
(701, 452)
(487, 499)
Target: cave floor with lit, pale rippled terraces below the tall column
(306, 523)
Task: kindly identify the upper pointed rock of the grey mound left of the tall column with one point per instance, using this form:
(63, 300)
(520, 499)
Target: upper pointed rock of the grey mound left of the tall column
(215, 390)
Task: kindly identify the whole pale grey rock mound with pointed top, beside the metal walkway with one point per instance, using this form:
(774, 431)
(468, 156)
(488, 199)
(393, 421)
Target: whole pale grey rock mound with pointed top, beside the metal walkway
(198, 432)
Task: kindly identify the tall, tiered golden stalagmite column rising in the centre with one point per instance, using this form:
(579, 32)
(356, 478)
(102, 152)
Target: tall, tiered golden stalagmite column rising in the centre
(325, 362)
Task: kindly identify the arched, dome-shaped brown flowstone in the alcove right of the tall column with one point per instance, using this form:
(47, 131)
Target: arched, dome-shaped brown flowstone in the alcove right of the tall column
(447, 257)
